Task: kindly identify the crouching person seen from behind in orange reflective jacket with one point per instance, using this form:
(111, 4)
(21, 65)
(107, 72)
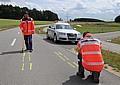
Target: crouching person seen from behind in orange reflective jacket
(90, 57)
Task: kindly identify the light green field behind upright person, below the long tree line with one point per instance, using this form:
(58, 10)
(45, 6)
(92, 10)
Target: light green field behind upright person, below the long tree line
(8, 23)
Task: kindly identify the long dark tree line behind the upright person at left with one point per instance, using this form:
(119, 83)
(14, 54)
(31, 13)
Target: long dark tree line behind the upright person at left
(10, 12)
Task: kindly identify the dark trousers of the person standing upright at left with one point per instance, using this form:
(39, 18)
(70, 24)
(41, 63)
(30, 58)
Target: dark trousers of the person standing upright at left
(28, 41)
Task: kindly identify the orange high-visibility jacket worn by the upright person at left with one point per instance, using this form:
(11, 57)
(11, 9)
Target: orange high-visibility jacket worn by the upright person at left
(27, 26)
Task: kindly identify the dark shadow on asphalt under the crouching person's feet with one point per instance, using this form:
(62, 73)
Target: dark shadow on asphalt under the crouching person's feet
(76, 80)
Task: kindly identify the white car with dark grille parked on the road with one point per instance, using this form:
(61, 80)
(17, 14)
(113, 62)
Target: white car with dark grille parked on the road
(63, 32)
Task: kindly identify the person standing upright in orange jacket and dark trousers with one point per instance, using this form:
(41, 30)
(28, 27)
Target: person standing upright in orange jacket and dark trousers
(27, 28)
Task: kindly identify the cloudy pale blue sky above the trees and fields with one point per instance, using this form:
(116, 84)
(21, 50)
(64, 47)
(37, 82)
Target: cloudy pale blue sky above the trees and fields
(99, 9)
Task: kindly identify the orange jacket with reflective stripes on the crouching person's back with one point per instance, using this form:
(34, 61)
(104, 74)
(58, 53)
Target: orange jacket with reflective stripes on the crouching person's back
(92, 59)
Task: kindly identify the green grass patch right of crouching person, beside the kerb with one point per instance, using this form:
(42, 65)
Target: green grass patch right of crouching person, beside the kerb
(112, 59)
